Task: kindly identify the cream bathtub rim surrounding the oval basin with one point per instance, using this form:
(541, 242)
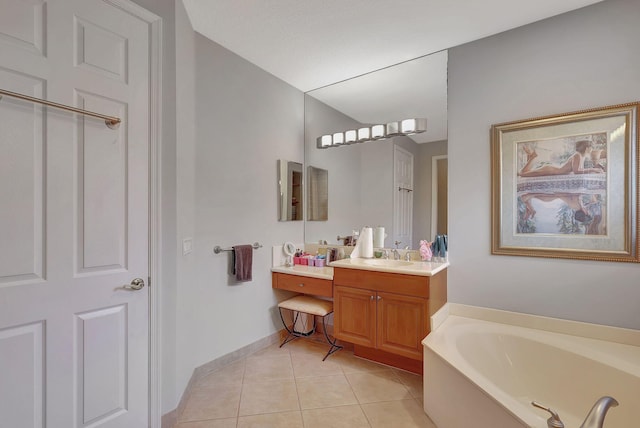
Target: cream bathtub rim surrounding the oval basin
(604, 351)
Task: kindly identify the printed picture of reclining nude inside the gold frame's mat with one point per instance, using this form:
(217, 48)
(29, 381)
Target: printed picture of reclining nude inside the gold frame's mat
(562, 185)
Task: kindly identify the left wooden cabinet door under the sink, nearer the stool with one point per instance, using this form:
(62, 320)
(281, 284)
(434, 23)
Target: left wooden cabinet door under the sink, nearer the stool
(354, 317)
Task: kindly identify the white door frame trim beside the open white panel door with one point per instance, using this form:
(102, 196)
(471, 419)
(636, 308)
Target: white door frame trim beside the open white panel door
(155, 221)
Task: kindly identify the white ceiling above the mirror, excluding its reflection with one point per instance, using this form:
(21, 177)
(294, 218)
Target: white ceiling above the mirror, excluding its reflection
(310, 44)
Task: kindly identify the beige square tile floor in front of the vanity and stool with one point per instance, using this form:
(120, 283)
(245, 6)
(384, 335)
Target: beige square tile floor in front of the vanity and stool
(292, 387)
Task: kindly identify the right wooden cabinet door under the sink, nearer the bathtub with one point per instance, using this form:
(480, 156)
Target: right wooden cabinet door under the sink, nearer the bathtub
(402, 324)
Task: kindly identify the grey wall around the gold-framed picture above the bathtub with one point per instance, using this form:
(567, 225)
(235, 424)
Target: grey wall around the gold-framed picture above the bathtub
(583, 59)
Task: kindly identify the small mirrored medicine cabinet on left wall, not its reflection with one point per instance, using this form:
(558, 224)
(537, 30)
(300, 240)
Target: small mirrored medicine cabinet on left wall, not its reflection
(291, 185)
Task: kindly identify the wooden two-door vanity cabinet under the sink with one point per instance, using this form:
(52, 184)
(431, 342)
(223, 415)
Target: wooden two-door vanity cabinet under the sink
(386, 315)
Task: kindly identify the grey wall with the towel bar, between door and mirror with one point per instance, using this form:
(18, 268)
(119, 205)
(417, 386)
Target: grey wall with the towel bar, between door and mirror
(238, 120)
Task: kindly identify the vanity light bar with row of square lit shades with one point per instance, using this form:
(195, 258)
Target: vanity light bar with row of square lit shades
(375, 132)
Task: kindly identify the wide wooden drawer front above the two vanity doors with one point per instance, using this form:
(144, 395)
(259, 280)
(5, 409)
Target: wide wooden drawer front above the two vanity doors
(410, 285)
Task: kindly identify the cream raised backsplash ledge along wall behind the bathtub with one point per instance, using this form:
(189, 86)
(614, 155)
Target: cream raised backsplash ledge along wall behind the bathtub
(607, 333)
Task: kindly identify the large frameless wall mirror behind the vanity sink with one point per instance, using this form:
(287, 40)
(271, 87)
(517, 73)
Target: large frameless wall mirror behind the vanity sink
(366, 186)
